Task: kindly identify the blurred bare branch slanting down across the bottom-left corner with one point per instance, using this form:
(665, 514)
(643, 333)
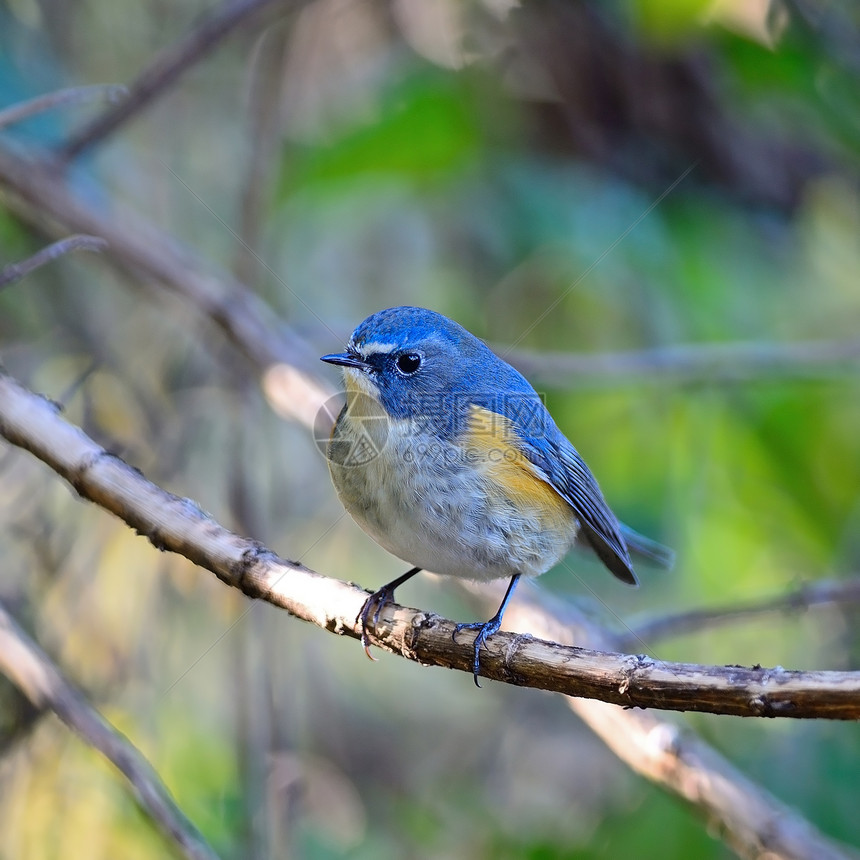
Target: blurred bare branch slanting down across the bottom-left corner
(30, 669)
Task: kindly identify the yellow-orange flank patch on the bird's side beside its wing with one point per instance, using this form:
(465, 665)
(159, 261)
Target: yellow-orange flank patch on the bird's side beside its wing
(490, 444)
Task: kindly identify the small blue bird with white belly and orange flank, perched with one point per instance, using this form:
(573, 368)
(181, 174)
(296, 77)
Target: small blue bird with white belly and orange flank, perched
(446, 456)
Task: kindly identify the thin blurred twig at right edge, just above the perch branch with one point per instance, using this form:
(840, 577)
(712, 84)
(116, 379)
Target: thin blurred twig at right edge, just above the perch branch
(806, 597)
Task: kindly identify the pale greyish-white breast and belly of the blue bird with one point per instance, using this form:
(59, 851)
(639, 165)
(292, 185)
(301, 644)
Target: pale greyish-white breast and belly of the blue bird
(423, 501)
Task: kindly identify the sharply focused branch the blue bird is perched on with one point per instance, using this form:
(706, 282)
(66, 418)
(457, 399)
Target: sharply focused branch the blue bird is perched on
(179, 525)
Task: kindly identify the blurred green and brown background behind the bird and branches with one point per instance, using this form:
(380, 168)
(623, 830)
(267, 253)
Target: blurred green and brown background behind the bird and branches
(580, 179)
